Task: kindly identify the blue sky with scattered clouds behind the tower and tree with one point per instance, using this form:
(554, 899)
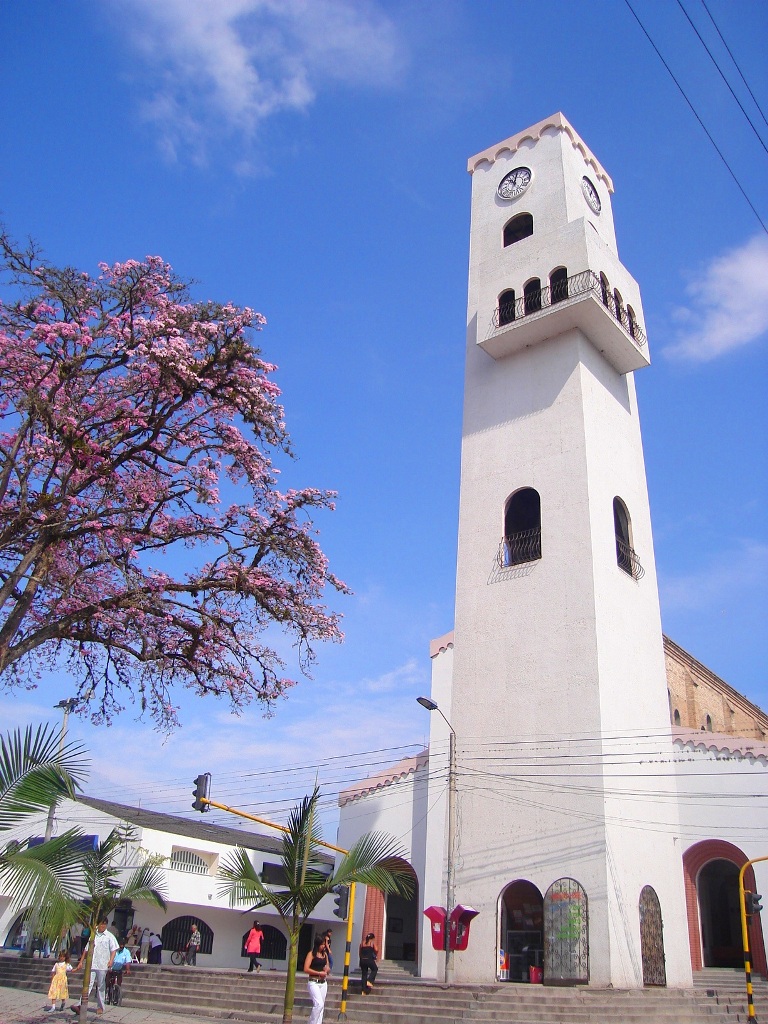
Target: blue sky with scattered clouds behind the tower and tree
(309, 159)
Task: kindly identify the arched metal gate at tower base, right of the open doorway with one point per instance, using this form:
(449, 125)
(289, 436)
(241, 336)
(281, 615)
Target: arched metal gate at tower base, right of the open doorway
(566, 934)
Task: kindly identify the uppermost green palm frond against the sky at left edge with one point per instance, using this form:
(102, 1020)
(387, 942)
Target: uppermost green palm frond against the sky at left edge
(34, 775)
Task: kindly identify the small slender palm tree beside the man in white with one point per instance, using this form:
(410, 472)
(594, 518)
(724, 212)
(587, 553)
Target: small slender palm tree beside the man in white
(103, 887)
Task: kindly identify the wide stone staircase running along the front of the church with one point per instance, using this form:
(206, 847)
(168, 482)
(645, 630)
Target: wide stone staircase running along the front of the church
(718, 998)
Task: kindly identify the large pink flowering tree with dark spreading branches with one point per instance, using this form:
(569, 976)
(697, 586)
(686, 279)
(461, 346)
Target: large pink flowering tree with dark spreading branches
(144, 541)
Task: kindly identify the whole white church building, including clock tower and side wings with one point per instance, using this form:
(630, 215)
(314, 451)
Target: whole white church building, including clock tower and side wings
(607, 786)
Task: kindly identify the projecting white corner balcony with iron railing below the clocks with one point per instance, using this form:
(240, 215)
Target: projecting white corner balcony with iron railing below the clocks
(580, 303)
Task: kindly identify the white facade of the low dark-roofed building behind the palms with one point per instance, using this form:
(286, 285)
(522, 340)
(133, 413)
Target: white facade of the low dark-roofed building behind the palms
(184, 845)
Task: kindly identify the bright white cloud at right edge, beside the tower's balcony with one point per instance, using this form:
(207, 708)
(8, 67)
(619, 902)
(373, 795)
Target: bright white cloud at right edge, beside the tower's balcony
(729, 308)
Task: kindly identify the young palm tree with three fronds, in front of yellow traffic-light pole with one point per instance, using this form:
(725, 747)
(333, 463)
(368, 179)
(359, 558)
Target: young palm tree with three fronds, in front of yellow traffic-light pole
(371, 862)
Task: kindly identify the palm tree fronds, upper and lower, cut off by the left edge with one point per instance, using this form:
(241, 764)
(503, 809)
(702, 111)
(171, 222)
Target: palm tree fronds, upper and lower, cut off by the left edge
(35, 772)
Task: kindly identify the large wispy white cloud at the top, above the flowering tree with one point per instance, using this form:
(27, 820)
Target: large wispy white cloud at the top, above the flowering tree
(231, 64)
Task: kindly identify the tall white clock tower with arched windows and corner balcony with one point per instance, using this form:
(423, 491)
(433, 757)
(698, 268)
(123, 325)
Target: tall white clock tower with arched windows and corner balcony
(567, 808)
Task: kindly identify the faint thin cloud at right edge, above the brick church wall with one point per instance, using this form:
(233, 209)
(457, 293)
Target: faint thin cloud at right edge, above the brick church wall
(718, 582)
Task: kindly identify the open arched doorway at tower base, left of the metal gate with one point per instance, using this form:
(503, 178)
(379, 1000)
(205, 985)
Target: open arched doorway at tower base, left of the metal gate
(521, 914)
